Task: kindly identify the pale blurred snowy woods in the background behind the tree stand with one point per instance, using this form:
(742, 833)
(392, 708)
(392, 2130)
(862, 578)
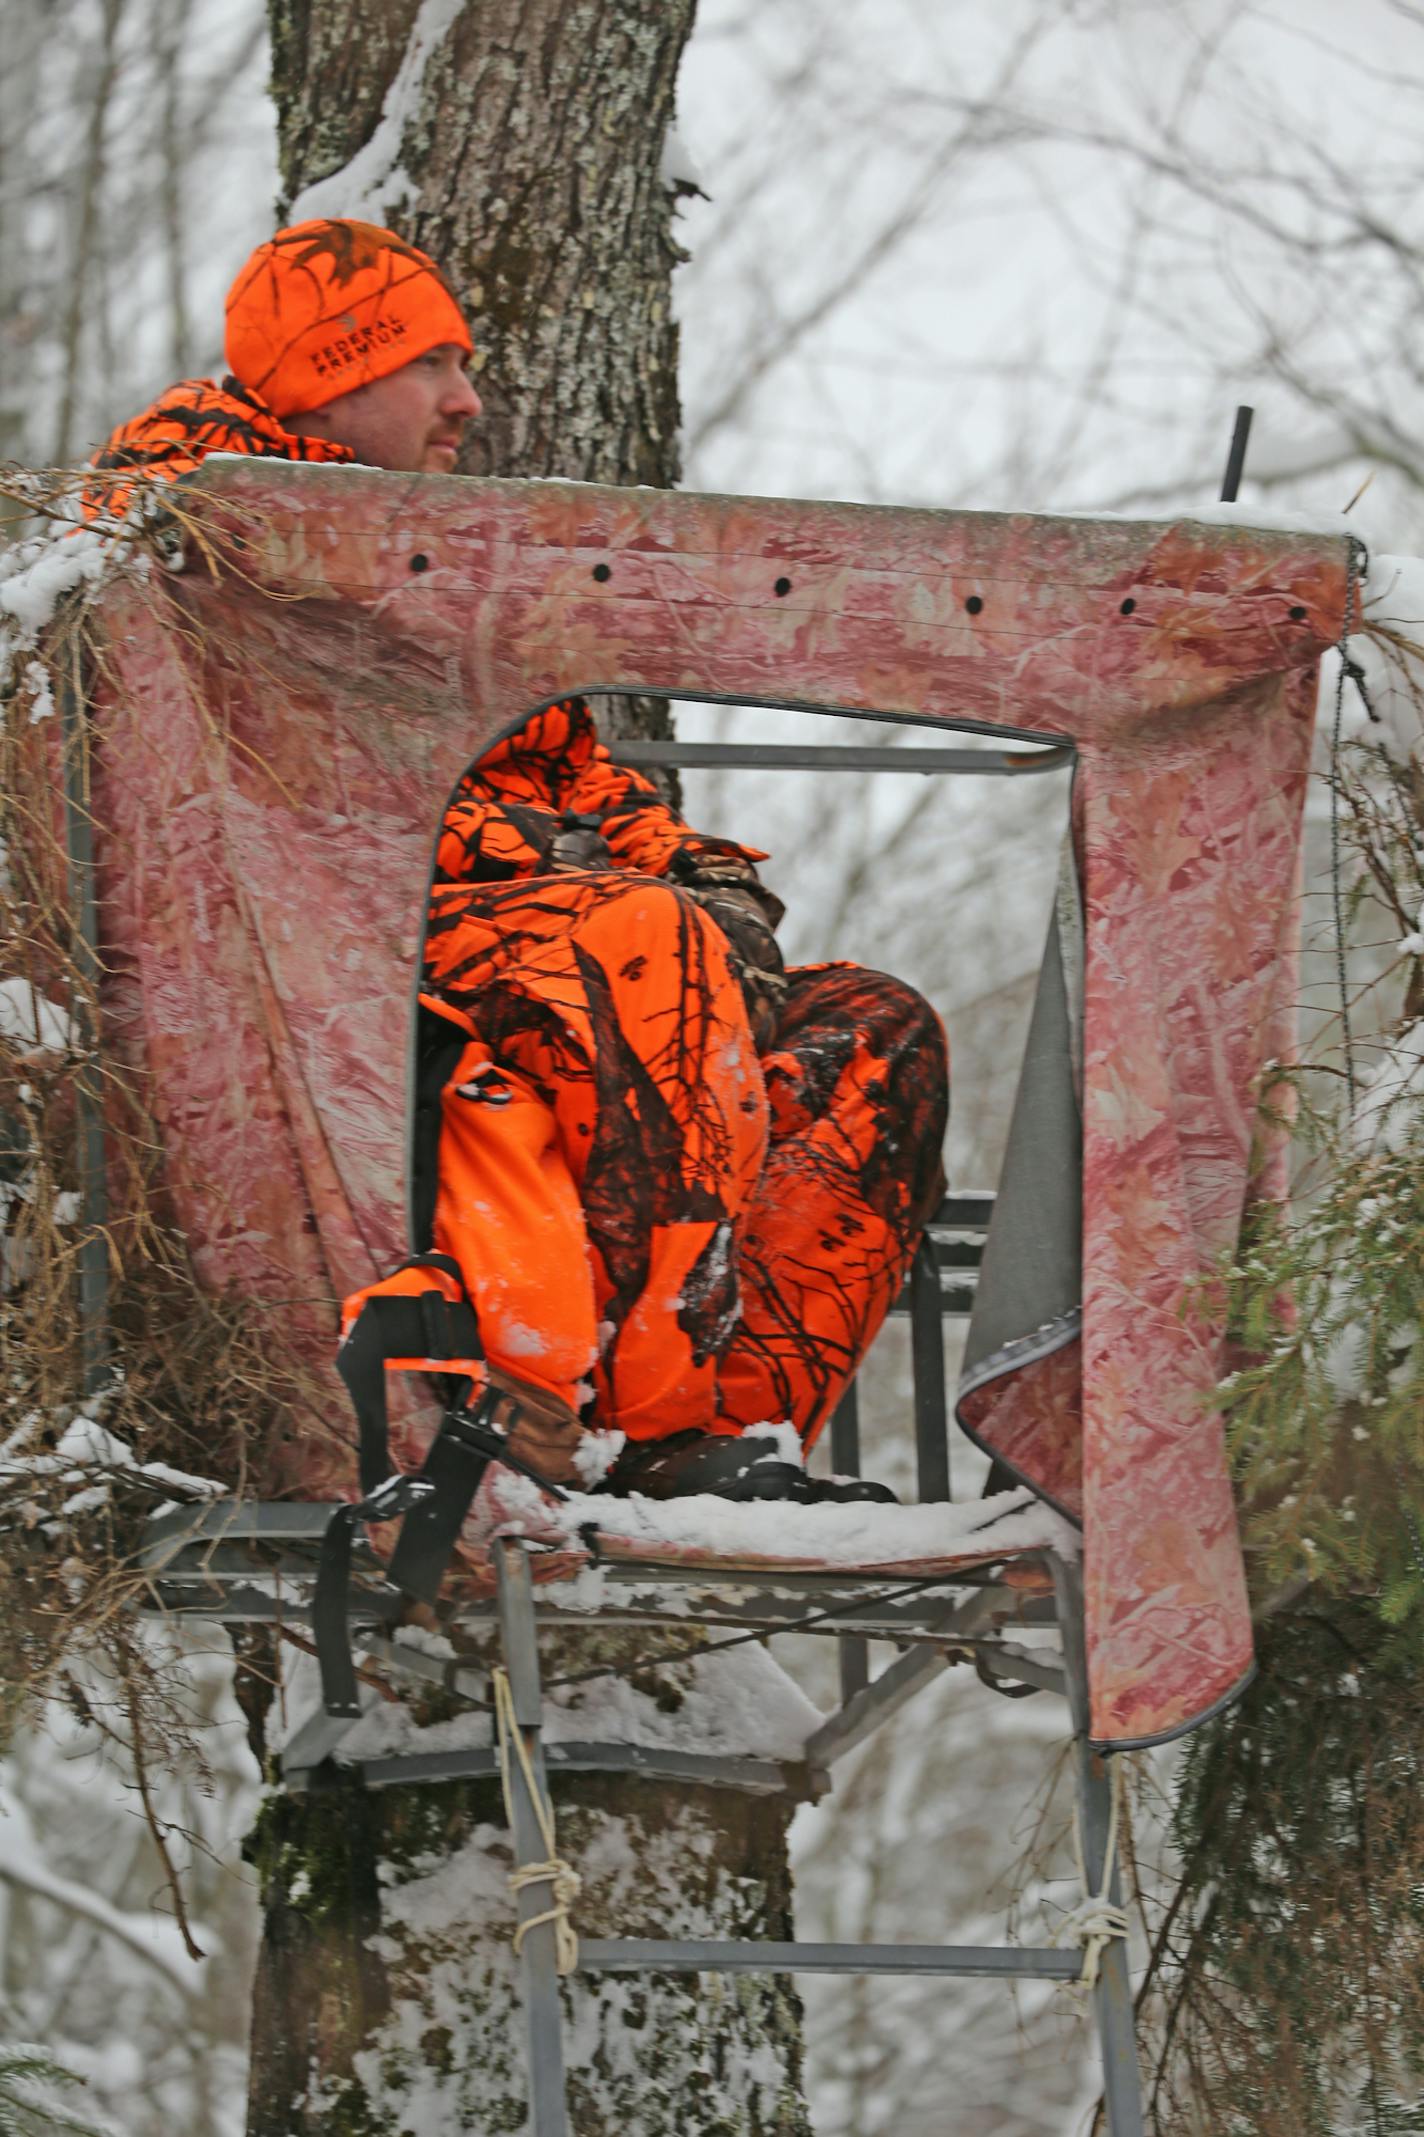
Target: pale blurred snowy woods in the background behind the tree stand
(1017, 255)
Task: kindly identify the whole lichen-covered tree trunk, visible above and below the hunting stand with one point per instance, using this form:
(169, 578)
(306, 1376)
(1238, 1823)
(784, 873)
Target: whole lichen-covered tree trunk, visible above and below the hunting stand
(521, 144)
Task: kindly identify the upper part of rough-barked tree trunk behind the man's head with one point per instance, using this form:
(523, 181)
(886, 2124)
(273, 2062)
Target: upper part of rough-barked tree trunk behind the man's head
(521, 144)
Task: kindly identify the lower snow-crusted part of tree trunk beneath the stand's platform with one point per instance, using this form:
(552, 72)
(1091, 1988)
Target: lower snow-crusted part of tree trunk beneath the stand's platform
(388, 1999)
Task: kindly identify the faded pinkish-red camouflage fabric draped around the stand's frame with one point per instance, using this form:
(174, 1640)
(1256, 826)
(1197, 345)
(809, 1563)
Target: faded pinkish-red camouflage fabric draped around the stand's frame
(277, 740)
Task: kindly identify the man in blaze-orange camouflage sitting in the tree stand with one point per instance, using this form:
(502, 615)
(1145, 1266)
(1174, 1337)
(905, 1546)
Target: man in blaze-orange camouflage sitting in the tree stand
(677, 1183)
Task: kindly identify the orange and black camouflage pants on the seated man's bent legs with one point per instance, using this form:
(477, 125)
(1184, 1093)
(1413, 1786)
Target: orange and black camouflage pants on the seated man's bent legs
(655, 1223)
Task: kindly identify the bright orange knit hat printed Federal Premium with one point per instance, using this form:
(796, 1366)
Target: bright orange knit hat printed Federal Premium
(330, 307)
